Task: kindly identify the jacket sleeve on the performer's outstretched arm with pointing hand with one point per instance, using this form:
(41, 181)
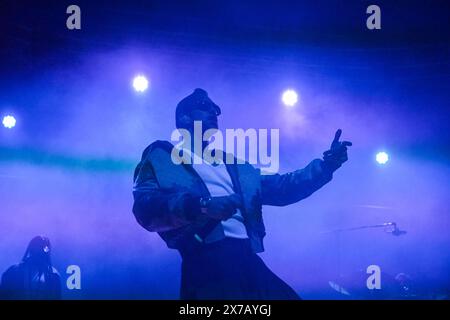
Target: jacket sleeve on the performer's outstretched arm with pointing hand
(285, 189)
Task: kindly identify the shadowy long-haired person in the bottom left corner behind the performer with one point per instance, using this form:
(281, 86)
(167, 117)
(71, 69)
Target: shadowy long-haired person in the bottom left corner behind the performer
(34, 278)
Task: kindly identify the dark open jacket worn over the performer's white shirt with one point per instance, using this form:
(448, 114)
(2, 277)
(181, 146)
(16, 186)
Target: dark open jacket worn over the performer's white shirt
(166, 195)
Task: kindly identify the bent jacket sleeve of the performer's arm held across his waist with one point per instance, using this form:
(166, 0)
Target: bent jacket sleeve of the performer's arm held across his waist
(157, 209)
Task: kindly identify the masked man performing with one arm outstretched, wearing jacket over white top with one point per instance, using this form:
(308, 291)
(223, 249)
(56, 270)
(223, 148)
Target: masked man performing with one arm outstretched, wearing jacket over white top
(212, 213)
